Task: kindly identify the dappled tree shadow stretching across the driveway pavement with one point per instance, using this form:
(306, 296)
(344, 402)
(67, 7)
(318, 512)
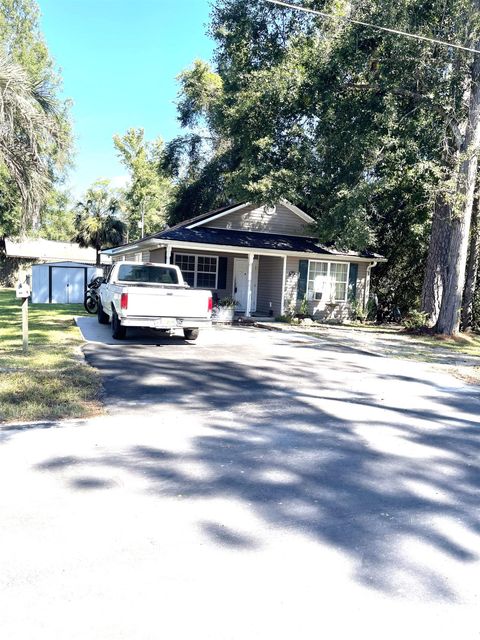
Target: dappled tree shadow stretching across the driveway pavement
(363, 475)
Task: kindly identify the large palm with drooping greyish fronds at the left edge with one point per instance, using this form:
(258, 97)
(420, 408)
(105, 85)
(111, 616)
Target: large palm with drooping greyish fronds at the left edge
(30, 129)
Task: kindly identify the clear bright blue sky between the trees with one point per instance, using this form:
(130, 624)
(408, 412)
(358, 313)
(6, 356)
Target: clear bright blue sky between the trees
(119, 60)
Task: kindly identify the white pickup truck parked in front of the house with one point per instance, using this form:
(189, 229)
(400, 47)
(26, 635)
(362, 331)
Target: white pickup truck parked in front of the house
(148, 294)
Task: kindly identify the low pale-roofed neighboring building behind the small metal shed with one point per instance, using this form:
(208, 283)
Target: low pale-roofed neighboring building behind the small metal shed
(20, 255)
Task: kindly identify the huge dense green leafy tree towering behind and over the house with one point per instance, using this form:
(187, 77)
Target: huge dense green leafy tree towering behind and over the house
(357, 126)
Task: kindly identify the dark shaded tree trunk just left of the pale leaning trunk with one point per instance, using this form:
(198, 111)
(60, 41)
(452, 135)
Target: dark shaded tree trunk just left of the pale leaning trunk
(436, 269)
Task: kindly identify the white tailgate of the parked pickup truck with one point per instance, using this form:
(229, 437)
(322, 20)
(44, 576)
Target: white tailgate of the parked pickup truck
(167, 302)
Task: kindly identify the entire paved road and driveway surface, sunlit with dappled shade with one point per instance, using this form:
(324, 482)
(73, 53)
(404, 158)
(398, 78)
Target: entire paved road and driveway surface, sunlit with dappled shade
(250, 485)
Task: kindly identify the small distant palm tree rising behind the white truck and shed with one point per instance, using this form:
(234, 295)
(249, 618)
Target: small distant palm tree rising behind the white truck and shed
(97, 220)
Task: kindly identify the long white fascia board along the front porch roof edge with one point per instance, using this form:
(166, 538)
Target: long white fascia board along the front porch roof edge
(279, 253)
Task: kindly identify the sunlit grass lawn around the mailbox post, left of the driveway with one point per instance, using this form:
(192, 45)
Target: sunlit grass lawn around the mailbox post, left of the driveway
(51, 381)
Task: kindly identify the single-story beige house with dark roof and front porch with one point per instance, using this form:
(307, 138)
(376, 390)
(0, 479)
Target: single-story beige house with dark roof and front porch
(264, 257)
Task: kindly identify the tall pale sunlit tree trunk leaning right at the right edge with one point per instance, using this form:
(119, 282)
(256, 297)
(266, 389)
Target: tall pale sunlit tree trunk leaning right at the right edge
(449, 316)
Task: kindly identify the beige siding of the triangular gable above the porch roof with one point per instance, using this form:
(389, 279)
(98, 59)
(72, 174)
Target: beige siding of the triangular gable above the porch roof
(254, 218)
